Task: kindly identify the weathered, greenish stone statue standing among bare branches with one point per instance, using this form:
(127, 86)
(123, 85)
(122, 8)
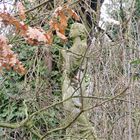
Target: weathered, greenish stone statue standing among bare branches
(74, 85)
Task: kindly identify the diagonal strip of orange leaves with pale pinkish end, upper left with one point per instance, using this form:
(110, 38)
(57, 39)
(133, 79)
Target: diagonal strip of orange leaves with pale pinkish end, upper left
(33, 35)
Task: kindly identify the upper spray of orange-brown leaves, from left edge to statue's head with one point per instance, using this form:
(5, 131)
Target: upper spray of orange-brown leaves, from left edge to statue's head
(35, 36)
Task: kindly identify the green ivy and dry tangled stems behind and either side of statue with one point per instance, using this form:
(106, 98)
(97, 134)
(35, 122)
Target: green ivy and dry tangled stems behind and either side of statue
(113, 67)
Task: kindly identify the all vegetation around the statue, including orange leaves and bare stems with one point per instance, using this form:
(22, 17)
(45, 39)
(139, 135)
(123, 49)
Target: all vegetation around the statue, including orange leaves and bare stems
(31, 104)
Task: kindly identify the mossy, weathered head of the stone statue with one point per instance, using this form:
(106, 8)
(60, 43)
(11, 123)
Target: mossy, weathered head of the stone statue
(78, 29)
